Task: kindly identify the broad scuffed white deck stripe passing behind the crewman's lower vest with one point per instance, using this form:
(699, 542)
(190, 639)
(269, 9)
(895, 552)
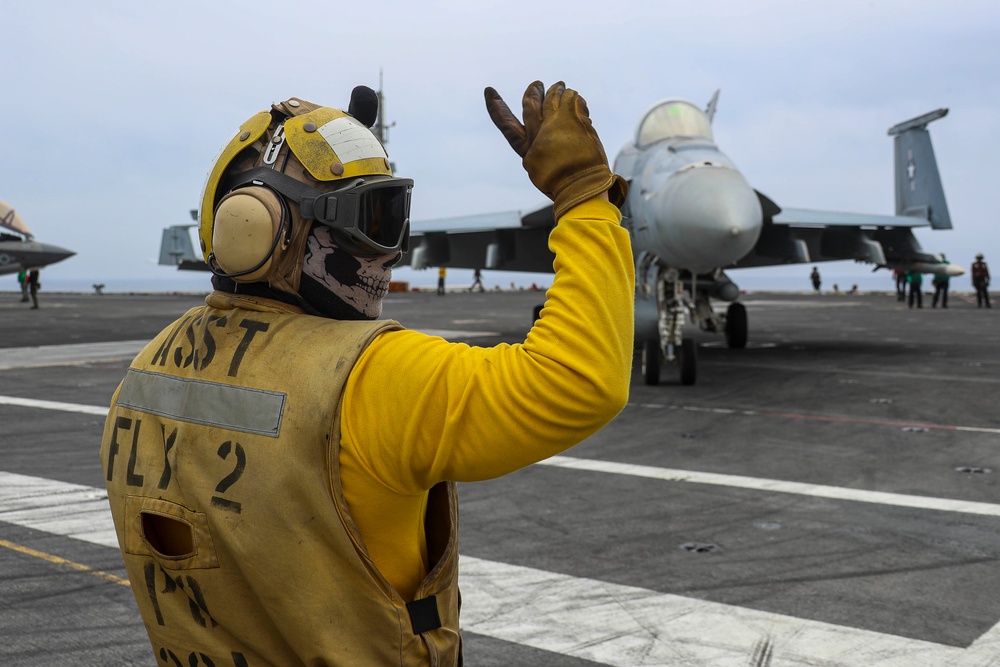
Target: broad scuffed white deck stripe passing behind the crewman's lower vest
(591, 619)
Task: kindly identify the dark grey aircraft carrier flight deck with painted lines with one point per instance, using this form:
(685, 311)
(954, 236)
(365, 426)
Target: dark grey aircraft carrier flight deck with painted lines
(829, 495)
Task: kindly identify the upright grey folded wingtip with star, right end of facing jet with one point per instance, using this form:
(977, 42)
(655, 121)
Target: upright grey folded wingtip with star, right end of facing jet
(918, 184)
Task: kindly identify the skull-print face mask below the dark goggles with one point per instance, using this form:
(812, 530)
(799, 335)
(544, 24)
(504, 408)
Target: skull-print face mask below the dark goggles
(340, 285)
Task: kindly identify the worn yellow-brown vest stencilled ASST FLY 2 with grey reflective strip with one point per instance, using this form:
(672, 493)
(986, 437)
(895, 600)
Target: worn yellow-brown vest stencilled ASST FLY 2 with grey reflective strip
(221, 458)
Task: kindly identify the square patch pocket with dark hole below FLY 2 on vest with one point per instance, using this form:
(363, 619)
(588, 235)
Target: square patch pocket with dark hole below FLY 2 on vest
(175, 536)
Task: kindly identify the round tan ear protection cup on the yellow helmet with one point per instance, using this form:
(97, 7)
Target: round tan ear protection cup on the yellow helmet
(249, 234)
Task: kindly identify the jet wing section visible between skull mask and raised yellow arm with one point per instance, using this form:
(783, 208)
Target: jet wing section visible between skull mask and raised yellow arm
(509, 241)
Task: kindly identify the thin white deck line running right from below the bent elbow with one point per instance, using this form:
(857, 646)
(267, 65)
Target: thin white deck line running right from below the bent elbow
(776, 486)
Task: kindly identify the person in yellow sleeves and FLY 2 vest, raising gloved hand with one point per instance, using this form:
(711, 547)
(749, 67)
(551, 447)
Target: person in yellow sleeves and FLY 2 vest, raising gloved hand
(281, 463)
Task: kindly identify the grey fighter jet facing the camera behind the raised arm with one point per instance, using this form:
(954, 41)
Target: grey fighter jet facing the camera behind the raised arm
(693, 217)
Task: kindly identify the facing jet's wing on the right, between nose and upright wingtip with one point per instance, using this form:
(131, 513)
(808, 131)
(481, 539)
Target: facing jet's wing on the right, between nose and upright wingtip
(800, 236)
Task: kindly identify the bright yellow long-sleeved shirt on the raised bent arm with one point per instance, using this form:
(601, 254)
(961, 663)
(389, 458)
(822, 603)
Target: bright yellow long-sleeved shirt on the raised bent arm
(418, 410)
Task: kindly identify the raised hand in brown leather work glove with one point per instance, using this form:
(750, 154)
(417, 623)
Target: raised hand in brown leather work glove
(561, 151)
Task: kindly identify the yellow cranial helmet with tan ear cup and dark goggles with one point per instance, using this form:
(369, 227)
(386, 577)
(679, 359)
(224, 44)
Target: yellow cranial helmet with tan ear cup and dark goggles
(286, 168)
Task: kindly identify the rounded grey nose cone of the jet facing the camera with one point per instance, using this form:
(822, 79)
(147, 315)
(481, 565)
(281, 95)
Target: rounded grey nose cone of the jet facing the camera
(714, 217)
